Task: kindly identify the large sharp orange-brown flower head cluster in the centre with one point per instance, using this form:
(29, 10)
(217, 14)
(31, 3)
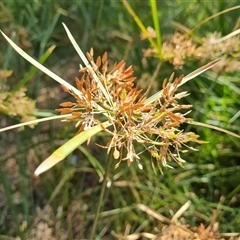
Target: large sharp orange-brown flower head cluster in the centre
(152, 124)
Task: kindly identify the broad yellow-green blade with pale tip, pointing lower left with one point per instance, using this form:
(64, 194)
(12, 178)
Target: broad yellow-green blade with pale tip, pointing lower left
(68, 147)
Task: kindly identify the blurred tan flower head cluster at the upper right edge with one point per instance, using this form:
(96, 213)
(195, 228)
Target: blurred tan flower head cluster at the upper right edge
(182, 46)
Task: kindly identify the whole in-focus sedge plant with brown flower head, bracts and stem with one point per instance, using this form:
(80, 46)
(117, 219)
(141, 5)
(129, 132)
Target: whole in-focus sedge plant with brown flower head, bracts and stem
(131, 117)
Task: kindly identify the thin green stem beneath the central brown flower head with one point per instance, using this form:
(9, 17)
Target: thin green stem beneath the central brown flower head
(101, 195)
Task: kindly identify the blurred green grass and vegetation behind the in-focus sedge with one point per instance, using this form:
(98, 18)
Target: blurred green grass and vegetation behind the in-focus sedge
(61, 203)
